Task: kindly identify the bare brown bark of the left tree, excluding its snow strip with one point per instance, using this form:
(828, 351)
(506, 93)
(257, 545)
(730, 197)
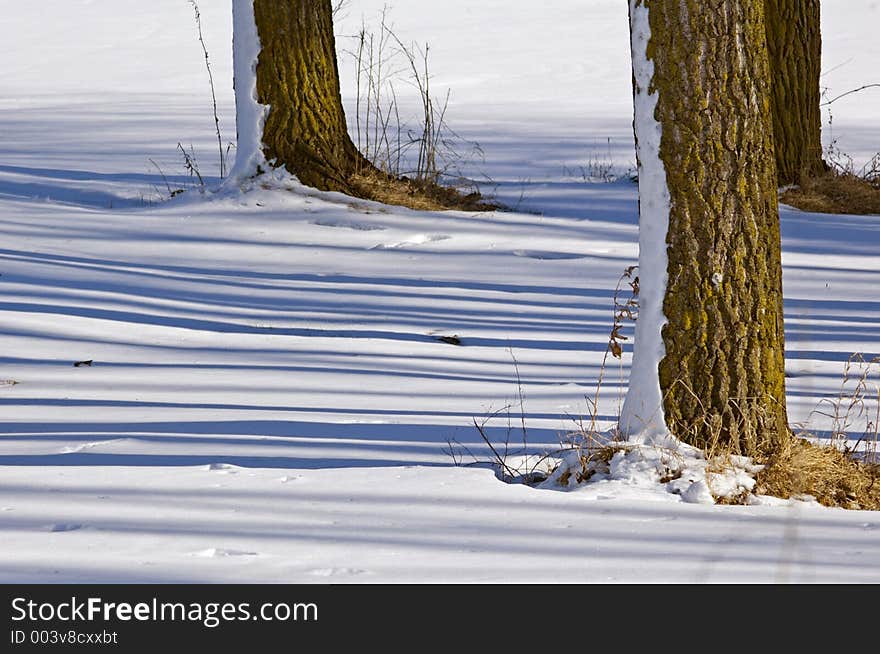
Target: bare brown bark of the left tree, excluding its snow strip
(297, 76)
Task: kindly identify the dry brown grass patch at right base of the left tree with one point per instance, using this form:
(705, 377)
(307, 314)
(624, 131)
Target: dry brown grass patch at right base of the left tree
(421, 195)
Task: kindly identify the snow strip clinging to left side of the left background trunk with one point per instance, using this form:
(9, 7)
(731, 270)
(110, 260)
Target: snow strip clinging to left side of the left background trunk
(250, 115)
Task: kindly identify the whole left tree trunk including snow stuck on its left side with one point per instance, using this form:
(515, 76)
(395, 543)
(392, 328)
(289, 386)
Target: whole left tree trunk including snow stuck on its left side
(286, 51)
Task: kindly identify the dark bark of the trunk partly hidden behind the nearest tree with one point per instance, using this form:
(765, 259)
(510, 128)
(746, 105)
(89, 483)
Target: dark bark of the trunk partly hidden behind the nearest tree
(794, 42)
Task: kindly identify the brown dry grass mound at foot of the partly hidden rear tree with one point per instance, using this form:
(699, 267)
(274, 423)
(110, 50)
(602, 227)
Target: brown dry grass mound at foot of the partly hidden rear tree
(836, 192)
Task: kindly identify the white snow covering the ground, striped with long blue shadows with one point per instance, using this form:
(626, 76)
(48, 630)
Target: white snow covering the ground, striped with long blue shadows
(269, 398)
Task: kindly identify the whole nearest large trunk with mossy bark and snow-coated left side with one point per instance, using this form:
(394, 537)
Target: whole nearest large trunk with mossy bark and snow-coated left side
(708, 364)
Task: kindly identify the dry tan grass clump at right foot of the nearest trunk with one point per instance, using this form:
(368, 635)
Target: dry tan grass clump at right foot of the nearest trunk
(835, 478)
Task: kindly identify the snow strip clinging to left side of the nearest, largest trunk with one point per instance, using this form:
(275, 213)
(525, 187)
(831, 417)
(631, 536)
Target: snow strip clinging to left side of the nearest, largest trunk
(642, 415)
